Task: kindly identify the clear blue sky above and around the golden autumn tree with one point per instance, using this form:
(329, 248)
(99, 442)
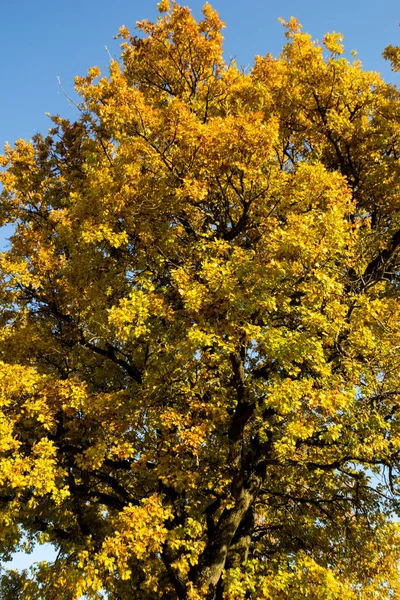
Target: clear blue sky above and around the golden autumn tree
(43, 40)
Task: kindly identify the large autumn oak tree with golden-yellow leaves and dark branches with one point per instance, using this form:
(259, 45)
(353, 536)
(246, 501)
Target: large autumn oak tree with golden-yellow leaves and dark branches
(201, 327)
